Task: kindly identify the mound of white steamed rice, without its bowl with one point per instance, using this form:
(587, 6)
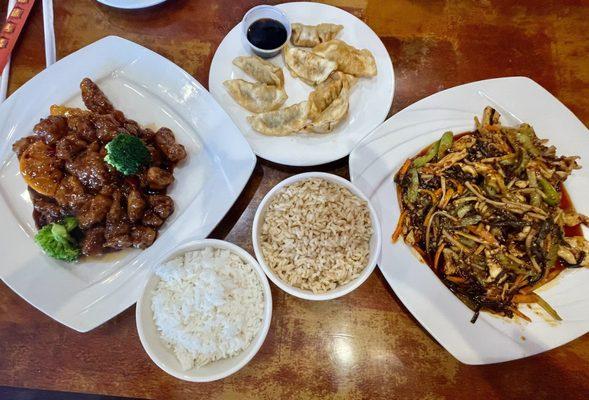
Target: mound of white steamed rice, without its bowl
(208, 305)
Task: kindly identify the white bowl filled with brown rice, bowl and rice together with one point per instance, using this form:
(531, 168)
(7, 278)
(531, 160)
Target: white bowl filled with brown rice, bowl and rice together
(316, 236)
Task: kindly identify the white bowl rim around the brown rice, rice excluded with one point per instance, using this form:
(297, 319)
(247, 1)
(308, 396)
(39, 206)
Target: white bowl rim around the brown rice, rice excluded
(375, 242)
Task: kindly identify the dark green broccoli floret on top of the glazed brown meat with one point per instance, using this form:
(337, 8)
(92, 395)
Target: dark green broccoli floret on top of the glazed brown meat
(127, 153)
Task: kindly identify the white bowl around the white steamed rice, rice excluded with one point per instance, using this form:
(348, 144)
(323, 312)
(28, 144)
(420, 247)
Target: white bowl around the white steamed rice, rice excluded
(164, 357)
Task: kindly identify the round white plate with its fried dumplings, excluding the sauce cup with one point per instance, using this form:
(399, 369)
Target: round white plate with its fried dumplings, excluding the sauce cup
(329, 87)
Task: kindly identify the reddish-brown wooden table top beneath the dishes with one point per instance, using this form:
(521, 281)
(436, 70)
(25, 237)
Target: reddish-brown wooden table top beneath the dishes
(365, 345)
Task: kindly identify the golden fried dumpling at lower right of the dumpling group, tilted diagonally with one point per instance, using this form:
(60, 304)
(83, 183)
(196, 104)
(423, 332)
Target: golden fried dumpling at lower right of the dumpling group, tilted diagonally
(329, 103)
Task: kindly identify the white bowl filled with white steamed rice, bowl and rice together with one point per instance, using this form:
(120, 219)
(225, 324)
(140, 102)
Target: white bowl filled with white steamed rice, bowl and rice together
(205, 311)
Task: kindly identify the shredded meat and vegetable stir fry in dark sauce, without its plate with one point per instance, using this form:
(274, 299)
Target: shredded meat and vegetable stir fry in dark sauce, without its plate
(488, 212)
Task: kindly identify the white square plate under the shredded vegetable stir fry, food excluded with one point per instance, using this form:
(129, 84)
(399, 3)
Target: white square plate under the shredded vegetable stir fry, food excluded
(372, 166)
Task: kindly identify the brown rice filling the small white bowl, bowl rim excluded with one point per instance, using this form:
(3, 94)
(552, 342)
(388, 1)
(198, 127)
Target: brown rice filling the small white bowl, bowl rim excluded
(315, 235)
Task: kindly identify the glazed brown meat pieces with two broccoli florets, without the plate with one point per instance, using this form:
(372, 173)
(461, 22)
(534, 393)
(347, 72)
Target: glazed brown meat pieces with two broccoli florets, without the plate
(97, 180)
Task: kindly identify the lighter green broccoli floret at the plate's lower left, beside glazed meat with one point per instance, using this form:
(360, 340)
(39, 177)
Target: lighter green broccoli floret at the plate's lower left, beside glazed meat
(56, 241)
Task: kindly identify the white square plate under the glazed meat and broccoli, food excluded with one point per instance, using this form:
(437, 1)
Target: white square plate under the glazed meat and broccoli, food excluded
(154, 92)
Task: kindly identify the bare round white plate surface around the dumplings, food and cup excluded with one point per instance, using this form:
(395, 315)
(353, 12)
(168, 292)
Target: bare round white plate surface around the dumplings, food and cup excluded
(370, 100)
